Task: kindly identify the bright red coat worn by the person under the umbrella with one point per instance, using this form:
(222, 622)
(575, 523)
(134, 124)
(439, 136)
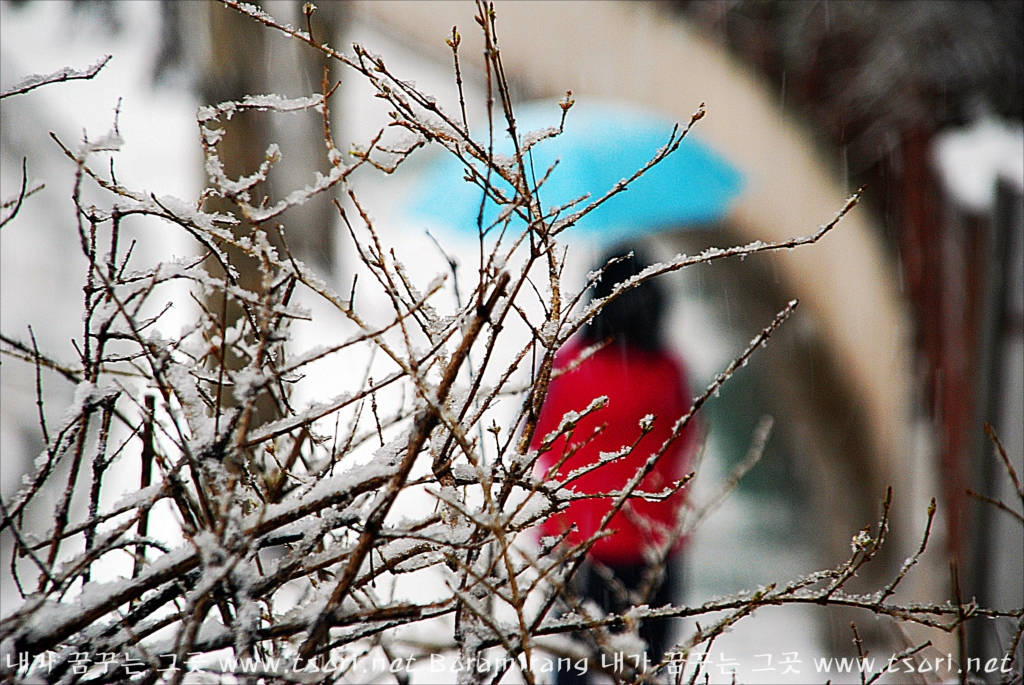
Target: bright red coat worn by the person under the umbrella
(637, 383)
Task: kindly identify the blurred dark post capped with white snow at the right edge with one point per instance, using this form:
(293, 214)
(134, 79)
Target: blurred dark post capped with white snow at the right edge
(980, 365)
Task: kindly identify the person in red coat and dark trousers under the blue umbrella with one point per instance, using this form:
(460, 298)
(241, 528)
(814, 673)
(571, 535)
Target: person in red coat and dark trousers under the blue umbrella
(642, 378)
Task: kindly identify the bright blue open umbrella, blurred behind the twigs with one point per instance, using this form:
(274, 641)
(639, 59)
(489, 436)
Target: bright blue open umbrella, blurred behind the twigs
(602, 145)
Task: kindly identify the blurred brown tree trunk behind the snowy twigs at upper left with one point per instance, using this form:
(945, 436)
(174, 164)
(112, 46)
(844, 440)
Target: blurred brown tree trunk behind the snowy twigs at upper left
(229, 57)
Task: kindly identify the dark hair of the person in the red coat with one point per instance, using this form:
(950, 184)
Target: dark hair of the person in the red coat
(634, 318)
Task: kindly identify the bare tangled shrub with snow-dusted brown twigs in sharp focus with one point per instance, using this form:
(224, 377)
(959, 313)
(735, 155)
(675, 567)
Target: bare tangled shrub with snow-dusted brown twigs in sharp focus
(267, 518)
